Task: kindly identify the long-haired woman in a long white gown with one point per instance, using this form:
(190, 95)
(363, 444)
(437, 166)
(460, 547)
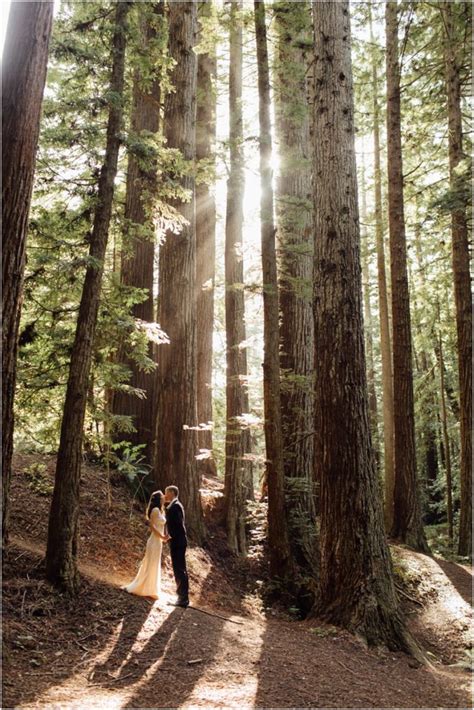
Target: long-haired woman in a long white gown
(147, 583)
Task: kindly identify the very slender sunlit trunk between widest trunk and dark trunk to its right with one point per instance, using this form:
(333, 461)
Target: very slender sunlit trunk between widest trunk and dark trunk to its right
(385, 340)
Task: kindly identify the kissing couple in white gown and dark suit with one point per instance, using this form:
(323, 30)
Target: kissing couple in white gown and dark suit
(165, 514)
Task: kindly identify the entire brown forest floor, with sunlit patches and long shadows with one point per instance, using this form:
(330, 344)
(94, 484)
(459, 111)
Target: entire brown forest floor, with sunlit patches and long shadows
(108, 649)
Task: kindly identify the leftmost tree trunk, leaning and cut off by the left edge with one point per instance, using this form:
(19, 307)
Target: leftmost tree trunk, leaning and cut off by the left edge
(25, 58)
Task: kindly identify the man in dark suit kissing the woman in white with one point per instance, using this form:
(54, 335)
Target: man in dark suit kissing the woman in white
(178, 543)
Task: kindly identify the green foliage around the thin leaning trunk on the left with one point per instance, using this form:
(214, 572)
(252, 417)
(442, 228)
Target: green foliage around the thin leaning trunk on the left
(70, 155)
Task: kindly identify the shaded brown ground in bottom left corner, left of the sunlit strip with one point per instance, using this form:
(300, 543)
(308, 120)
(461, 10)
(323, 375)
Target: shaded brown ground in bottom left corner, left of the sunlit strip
(39, 621)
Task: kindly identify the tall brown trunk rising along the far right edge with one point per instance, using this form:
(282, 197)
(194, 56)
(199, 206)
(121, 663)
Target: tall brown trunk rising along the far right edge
(462, 282)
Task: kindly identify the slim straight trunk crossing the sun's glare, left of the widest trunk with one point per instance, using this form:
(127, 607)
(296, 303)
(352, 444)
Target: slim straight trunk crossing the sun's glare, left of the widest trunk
(280, 556)
